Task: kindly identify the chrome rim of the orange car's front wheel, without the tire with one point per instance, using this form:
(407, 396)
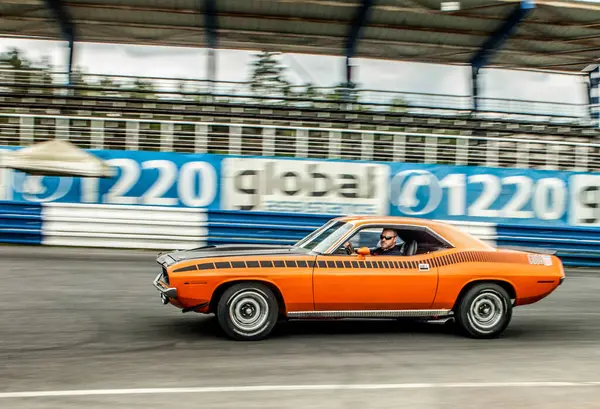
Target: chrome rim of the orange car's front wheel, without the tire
(248, 311)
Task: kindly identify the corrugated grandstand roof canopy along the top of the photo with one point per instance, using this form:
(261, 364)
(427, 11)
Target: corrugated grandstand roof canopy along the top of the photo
(555, 35)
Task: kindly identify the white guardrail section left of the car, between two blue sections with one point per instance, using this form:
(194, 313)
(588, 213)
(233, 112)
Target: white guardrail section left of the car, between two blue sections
(139, 227)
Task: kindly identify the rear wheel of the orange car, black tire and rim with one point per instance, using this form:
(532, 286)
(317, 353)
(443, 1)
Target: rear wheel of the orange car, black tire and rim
(484, 311)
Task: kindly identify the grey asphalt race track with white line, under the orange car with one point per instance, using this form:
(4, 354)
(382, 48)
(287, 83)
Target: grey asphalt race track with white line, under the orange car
(85, 328)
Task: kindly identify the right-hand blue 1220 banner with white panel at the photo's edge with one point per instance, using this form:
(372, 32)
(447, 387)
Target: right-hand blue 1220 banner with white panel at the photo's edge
(498, 195)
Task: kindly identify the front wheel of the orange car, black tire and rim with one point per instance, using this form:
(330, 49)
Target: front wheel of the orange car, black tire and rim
(262, 311)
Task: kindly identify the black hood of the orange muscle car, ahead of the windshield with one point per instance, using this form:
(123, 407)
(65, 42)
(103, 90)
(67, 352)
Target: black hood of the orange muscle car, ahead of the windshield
(226, 250)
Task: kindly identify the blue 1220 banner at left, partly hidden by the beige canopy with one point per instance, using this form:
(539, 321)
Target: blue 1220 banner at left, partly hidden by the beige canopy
(143, 178)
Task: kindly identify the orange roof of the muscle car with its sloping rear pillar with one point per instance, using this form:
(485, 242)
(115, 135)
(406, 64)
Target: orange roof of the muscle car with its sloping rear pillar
(456, 235)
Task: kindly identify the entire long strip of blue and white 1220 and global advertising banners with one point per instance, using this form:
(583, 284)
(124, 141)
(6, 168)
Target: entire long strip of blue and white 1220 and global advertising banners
(309, 186)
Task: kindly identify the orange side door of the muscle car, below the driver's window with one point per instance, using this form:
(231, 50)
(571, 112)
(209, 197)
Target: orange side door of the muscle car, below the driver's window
(354, 282)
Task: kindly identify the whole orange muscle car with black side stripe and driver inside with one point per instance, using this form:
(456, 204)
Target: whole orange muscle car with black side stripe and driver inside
(402, 267)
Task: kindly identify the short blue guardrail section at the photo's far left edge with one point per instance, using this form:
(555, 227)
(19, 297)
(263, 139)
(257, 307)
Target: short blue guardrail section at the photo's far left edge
(20, 223)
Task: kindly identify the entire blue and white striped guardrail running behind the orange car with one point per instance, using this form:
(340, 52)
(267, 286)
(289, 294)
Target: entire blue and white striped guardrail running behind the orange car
(160, 228)
